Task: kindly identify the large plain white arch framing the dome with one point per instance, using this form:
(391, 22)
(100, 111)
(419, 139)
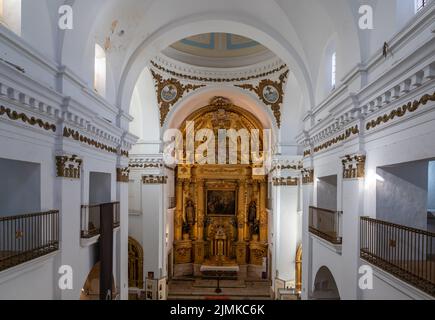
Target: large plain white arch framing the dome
(213, 22)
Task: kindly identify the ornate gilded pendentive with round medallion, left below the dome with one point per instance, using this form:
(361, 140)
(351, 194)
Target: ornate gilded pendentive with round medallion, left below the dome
(169, 92)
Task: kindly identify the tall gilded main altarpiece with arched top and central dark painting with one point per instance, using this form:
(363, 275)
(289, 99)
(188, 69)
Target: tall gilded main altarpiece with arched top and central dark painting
(211, 228)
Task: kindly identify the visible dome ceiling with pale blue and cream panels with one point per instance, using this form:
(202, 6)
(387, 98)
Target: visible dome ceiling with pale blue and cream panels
(218, 50)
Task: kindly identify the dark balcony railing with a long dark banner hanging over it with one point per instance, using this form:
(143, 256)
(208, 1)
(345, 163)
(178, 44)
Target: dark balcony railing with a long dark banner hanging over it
(91, 215)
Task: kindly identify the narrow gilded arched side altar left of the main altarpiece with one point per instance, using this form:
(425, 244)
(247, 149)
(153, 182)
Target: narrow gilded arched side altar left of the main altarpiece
(135, 264)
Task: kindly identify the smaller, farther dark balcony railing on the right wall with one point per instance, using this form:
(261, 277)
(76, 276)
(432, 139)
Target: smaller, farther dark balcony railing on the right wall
(325, 224)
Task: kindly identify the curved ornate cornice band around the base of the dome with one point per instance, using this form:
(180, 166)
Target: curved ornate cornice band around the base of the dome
(218, 79)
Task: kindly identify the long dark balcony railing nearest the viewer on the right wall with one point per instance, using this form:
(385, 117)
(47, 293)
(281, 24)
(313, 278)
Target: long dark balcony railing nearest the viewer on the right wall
(406, 253)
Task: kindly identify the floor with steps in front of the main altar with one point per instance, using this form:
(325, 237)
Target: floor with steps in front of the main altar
(204, 289)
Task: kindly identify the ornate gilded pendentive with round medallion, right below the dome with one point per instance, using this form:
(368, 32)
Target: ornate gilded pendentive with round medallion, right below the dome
(271, 93)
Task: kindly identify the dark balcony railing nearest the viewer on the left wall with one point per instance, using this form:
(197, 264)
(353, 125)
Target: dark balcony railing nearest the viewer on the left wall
(27, 237)
